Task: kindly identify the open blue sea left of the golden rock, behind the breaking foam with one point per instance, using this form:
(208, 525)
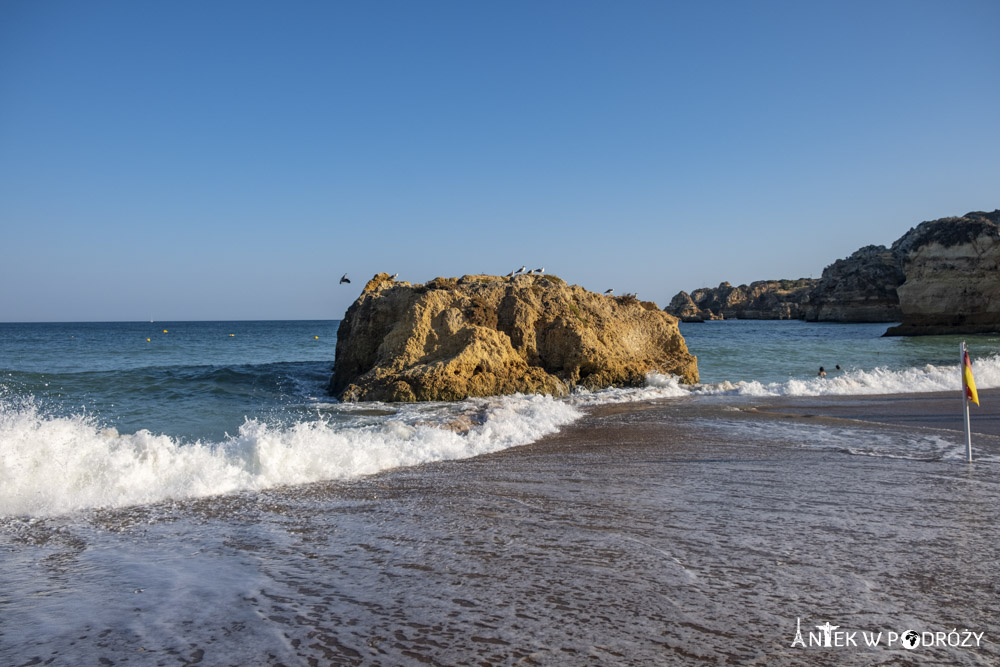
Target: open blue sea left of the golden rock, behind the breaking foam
(193, 380)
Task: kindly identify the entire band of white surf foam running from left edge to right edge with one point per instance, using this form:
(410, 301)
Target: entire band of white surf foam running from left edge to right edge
(52, 465)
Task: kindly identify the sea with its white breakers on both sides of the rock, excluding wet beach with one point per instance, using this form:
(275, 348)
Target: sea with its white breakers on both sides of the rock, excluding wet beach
(116, 414)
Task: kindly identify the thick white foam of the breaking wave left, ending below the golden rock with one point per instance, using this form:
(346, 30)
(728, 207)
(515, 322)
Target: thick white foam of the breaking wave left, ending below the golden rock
(53, 465)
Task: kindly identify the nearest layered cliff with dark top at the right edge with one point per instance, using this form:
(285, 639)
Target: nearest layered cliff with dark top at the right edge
(952, 269)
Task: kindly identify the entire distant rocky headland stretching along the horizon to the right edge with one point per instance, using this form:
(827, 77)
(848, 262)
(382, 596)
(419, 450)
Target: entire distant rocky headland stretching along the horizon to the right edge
(940, 277)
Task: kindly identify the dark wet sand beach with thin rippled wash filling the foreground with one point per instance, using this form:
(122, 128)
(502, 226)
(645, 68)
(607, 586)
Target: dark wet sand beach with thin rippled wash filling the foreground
(670, 532)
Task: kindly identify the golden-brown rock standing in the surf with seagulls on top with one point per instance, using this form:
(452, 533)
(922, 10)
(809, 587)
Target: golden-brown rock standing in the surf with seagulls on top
(452, 338)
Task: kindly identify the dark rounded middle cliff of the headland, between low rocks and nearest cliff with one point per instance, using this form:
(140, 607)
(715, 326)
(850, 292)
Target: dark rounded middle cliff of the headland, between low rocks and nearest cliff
(861, 288)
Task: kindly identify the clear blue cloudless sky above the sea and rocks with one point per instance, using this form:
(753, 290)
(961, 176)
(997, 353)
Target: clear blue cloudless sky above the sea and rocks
(230, 160)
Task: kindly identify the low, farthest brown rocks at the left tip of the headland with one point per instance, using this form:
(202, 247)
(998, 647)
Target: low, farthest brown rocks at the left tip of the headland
(761, 300)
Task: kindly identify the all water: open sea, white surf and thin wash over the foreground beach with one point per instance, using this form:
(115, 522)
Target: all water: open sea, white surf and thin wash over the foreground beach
(187, 492)
